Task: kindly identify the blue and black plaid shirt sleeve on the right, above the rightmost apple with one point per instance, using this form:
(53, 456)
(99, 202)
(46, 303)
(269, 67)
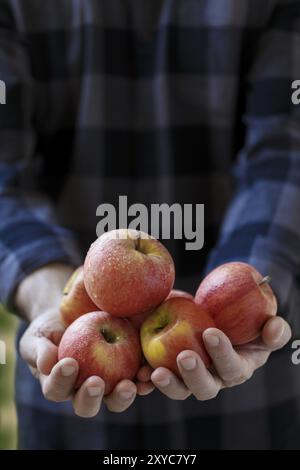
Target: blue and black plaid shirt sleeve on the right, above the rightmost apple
(262, 225)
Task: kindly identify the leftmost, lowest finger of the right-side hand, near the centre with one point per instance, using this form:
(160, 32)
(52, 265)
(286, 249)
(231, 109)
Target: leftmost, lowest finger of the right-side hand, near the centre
(169, 384)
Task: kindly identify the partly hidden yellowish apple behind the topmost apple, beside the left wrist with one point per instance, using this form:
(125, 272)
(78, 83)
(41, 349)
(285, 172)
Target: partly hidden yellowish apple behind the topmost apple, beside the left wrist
(75, 301)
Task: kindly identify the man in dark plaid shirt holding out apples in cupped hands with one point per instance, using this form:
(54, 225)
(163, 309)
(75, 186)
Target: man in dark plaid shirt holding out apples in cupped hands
(154, 100)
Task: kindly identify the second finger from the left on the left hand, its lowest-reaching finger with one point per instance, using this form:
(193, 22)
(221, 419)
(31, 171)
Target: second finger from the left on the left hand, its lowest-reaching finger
(87, 401)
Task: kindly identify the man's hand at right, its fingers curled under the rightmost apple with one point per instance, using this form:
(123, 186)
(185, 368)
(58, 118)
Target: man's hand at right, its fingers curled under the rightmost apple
(231, 366)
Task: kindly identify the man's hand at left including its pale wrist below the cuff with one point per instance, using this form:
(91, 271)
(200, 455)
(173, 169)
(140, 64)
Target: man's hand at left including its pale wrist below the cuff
(41, 292)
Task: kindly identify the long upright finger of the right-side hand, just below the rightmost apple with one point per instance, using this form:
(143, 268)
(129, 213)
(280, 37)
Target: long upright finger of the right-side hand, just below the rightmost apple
(232, 368)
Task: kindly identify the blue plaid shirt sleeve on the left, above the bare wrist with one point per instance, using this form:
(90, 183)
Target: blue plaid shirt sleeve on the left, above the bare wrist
(29, 234)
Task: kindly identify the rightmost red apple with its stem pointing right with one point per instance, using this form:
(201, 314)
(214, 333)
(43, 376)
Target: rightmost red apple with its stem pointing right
(239, 299)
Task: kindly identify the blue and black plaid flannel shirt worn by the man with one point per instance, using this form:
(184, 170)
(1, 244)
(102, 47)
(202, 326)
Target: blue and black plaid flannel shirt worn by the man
(163, 101)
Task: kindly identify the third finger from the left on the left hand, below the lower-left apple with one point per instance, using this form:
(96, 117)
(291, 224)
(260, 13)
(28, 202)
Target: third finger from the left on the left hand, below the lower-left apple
(121, 397)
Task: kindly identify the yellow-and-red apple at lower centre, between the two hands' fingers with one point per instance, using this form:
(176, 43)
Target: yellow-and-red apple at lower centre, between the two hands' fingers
(176, 325)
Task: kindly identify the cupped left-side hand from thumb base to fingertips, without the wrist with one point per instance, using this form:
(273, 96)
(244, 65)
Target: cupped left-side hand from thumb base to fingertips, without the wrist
(39, 348)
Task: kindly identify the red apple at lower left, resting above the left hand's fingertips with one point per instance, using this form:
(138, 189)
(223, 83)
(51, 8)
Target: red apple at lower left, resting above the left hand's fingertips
(104, 346)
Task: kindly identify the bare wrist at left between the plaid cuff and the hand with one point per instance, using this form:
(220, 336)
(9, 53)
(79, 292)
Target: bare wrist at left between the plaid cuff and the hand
(42, 290)
